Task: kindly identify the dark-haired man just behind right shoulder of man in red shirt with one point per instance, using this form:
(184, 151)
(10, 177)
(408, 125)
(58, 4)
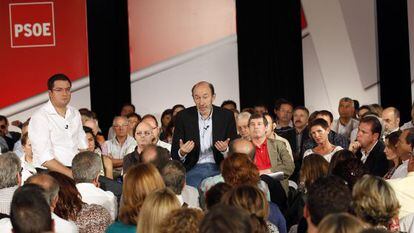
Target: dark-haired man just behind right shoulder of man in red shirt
(284, 111)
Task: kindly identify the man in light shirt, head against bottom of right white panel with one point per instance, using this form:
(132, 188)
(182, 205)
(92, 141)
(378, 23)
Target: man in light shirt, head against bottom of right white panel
(346, 123)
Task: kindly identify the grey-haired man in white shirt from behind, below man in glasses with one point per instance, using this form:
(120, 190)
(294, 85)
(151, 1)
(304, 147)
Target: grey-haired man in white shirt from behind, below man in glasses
(85, 168)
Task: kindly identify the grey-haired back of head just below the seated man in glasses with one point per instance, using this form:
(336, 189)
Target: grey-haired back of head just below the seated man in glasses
(86, 166)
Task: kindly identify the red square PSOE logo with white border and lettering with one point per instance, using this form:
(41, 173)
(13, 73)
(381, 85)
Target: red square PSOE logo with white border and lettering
(32, 24)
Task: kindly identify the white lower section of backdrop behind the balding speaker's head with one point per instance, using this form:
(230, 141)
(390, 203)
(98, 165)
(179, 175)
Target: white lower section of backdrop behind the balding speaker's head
(165, 84)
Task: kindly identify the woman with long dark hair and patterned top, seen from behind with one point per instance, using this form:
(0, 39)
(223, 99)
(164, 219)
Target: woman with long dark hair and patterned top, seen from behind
(88, 218)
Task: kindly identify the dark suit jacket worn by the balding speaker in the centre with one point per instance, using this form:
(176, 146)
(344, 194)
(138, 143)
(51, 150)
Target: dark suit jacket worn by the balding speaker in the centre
(186, 128)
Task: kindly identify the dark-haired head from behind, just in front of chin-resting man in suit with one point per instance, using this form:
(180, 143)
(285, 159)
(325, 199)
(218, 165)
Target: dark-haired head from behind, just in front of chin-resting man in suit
(350, 170)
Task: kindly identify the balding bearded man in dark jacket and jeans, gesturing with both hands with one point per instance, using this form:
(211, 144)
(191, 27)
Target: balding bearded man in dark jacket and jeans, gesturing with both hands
(202, 134)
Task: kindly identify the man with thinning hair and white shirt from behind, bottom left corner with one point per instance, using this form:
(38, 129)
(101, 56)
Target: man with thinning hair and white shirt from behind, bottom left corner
(51, 191)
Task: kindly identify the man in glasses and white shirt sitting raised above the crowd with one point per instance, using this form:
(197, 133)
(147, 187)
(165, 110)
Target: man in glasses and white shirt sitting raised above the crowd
(55, 129)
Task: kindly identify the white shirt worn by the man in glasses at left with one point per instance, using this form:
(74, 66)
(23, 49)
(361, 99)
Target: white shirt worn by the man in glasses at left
(56, 137)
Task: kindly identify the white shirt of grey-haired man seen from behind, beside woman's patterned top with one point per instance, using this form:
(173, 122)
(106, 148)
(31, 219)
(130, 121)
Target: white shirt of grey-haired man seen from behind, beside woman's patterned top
(94, 195)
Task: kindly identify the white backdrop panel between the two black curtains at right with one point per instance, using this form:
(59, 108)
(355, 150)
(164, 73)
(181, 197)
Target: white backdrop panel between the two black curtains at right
(339, 53)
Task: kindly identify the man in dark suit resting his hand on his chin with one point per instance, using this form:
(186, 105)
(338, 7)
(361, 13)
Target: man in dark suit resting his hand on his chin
(369, 148)
